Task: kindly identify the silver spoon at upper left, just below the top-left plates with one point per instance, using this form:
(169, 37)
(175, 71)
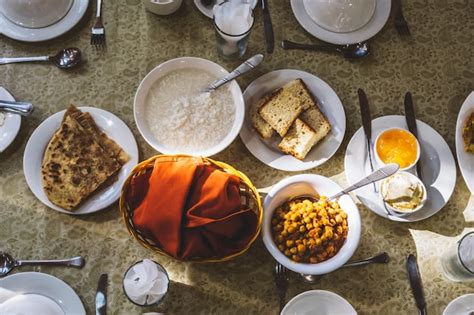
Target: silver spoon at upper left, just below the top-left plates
(64, 59)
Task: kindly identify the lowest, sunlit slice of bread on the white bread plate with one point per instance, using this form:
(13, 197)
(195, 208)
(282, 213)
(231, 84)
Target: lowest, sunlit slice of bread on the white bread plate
(299, 140)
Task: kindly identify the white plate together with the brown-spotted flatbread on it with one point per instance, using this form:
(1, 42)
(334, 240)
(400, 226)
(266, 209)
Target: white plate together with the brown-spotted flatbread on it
(77, 160)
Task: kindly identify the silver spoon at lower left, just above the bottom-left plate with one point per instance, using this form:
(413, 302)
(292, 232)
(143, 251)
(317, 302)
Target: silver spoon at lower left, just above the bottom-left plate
(7, 263)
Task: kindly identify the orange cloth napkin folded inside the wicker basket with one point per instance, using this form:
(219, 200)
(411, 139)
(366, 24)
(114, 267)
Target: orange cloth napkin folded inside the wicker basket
(191, 209)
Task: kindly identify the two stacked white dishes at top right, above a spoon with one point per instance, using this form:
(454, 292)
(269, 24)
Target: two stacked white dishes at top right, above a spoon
(342, 21)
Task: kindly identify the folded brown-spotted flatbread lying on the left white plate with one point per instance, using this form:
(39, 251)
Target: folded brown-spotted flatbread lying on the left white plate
(75, 165)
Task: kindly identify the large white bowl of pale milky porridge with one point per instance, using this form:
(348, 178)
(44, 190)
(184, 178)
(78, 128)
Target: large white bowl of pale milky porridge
(175, 116)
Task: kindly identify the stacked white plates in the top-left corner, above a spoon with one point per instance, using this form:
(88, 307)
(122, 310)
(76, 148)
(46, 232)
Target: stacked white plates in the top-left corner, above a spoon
(34, 21)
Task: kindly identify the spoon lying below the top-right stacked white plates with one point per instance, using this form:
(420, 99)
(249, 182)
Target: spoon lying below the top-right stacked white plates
(352, 51)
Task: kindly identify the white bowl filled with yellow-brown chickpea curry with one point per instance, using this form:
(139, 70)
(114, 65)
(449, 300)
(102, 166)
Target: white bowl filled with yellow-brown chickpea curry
(306, 232)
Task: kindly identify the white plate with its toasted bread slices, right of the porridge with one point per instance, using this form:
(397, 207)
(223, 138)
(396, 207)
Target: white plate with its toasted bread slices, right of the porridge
(295, 121)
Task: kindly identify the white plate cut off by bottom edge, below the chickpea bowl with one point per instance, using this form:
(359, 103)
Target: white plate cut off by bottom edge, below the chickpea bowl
(318, 302)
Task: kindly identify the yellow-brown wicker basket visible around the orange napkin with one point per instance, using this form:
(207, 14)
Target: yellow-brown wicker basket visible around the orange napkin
(248, 193)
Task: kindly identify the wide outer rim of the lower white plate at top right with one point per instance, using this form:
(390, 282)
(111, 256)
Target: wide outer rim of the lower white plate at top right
(376, 23)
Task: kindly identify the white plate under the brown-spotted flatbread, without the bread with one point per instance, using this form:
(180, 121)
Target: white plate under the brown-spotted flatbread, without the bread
(115, 128)
